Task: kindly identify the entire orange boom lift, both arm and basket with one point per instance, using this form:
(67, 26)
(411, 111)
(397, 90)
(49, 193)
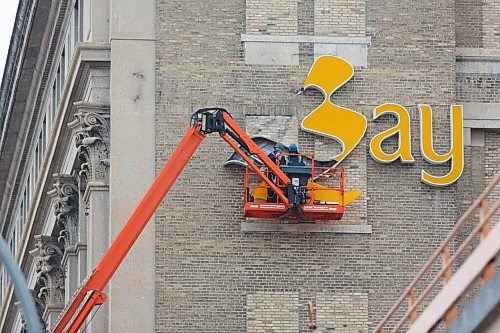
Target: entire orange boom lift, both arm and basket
(296, 196)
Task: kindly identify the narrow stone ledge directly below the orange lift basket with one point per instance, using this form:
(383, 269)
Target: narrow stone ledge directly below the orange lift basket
(306, 227)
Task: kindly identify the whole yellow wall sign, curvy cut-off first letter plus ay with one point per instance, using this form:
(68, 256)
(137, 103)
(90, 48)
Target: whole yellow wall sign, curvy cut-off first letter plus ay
(329, 73)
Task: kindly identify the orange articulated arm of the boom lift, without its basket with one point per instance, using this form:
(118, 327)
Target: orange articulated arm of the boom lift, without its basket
(203, 122)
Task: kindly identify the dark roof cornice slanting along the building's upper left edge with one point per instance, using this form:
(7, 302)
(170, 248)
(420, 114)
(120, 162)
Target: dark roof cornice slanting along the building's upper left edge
(17, 93)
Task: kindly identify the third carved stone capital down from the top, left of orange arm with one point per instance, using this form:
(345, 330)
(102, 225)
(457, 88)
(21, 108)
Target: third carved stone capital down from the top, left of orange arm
(47, 254)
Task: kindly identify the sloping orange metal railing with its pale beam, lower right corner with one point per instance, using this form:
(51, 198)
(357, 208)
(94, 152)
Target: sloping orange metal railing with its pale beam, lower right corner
(484, 272)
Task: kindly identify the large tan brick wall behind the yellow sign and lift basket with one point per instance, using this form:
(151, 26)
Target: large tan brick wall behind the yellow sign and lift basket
(208, 271)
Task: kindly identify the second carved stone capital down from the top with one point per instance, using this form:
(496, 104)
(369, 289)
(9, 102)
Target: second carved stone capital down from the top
(66, 201)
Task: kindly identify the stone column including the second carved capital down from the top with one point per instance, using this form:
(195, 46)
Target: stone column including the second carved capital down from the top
(65, 195)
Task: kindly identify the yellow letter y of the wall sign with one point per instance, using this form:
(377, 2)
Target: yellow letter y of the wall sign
(456, 153)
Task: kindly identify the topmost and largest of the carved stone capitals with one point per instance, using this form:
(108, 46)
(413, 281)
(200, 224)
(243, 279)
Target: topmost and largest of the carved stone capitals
(91, 126)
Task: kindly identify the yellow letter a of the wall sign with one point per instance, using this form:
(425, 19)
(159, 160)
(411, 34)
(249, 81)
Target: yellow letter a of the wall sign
(402, 129)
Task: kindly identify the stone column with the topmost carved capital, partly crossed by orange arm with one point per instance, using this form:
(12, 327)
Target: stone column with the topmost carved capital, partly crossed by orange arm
(91, 132)
